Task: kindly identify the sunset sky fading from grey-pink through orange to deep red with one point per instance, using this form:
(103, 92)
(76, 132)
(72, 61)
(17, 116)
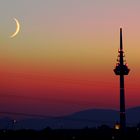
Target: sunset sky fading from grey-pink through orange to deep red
(63, 58)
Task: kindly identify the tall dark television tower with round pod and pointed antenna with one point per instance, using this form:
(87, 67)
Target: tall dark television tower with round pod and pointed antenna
(121, 69)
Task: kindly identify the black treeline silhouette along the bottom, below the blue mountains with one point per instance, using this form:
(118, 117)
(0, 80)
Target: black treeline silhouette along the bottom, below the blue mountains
(102, 132)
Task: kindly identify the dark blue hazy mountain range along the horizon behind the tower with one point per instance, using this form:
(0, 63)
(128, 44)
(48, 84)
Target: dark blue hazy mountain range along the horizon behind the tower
(87, 118)
